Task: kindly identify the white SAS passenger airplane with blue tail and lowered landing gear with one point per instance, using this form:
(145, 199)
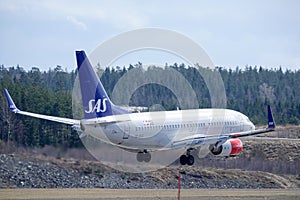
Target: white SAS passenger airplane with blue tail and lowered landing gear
(216, 131)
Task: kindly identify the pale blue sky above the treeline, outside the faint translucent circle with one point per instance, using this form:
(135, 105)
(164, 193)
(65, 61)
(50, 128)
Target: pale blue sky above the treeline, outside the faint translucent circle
(233, 33)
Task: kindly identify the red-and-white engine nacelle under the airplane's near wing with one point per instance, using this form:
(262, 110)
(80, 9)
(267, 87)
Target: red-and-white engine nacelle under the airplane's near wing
(231, 147)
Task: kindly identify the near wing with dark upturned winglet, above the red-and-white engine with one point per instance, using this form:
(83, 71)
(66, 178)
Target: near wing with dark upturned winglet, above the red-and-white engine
(198, 140)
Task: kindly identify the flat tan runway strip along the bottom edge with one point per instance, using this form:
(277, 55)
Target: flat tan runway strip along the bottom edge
(139, 194)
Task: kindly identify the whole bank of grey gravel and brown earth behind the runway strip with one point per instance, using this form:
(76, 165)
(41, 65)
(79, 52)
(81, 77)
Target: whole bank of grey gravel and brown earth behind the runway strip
(19, 171)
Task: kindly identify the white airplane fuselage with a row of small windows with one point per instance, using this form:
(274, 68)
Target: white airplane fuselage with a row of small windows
(158, 130)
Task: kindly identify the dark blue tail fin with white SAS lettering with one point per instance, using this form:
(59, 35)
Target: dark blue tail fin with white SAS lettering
(95, 101)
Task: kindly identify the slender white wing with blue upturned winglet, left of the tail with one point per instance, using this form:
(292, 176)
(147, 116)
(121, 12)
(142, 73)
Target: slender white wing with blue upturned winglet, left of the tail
(14, 109)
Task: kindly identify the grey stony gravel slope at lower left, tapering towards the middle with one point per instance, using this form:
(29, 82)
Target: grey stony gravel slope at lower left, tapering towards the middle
(19, 172)
